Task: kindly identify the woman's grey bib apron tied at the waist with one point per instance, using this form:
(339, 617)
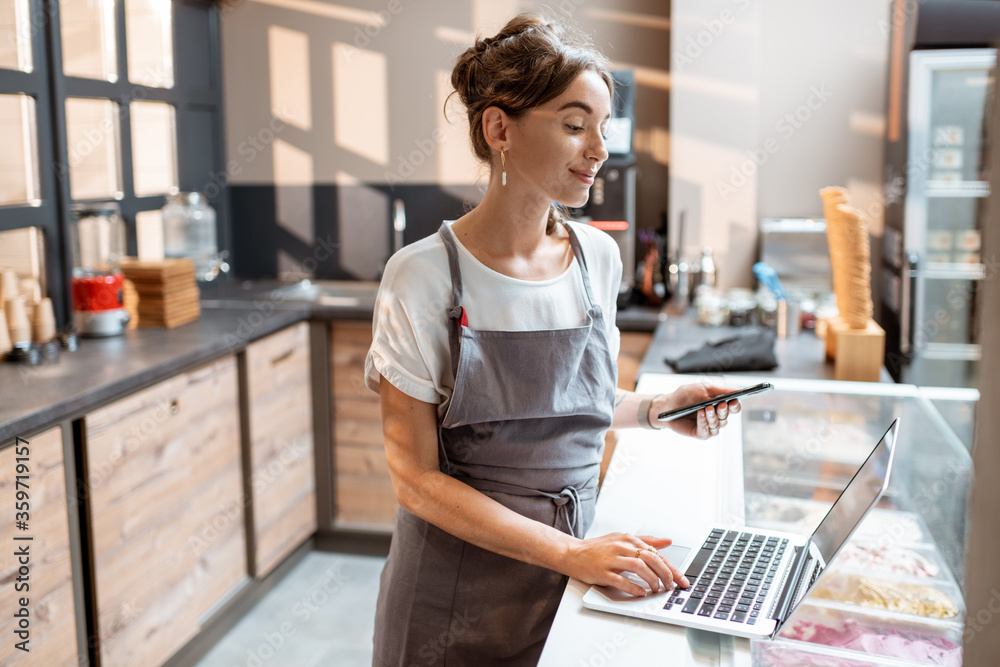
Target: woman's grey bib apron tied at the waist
(525, 426)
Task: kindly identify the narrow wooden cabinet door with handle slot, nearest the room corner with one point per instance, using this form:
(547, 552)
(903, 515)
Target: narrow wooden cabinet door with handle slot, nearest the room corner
(282, 470)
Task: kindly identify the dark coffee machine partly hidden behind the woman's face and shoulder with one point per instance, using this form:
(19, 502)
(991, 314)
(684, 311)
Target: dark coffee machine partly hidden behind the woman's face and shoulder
(612, 197)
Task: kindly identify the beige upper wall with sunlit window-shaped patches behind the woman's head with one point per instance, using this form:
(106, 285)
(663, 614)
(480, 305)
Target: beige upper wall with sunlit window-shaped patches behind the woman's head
(318, 92)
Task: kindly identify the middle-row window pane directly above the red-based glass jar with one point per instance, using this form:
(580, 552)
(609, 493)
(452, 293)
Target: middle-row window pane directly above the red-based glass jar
(92, 133)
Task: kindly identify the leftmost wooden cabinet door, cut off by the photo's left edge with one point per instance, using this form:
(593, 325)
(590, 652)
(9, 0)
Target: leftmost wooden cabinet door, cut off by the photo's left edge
(49, 592)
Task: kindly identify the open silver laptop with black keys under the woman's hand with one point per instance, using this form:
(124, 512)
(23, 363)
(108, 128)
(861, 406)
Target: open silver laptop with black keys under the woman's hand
(748, 582)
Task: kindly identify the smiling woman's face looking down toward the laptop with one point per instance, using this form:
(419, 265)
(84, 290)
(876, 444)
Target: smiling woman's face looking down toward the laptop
(557, 148)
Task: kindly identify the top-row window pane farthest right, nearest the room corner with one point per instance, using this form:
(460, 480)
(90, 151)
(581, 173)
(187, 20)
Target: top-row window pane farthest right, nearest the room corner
(149, 36)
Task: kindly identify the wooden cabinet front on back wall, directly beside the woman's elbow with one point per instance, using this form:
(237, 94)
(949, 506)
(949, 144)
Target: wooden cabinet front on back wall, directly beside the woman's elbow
(364, 498)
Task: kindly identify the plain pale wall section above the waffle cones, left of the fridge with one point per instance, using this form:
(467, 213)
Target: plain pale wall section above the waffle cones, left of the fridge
(772, 100)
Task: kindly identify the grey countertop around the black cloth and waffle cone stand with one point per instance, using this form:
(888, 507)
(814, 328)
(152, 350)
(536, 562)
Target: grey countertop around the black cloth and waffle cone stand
(801, 356)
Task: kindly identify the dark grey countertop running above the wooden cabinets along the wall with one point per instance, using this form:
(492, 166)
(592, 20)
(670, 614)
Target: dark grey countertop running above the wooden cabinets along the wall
(234, 313)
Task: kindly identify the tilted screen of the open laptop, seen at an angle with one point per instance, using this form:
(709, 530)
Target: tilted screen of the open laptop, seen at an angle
(860, 494)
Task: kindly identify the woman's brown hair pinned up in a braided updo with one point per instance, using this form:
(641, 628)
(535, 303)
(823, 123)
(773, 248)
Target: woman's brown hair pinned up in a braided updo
(528, 63)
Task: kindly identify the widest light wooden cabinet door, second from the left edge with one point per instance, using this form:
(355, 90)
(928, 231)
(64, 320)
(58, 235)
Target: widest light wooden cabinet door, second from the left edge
(166, 512)
